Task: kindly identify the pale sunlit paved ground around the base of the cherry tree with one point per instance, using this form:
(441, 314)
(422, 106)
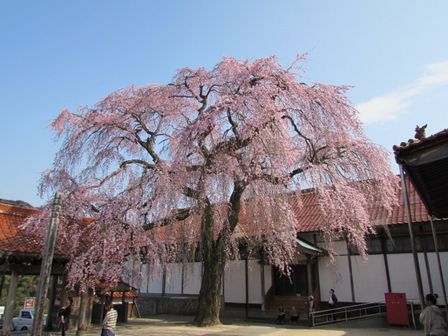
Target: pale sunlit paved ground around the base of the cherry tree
(177, 326)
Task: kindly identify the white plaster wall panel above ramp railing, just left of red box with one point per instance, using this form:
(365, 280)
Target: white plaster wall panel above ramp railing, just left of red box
(369, 278)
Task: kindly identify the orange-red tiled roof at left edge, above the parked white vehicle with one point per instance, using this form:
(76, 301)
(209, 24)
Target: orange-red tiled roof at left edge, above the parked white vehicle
(13, 239)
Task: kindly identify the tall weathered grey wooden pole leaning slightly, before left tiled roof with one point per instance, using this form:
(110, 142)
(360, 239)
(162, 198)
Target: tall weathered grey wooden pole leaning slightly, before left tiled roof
(47, 261)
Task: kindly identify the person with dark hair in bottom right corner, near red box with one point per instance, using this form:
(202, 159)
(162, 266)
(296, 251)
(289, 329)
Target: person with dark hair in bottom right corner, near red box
(432, 318)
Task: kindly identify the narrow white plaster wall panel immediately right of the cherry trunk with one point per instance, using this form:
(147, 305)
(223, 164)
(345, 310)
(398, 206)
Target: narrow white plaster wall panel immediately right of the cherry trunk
(234, 282)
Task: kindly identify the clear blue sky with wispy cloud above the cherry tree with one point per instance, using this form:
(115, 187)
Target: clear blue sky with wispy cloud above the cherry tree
(62, 54)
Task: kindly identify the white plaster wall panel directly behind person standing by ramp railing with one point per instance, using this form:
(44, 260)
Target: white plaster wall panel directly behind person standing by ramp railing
(336, 276)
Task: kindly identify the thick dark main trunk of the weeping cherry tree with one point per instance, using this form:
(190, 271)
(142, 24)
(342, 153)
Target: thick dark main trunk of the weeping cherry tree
(213, 258)
